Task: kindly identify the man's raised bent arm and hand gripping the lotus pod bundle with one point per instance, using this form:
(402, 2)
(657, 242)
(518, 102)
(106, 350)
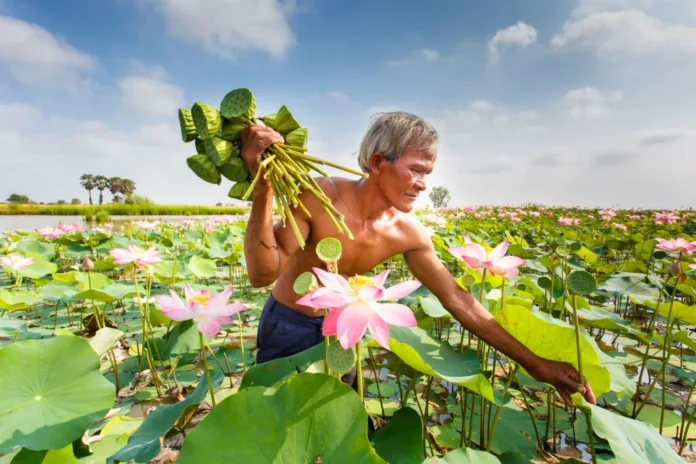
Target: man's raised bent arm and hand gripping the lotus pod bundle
(267, 248)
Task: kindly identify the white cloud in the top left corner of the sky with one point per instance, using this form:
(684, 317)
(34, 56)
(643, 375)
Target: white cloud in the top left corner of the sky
(38, 58)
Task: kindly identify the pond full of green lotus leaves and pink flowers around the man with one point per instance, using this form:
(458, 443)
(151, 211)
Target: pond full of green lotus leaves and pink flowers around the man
(94, 371)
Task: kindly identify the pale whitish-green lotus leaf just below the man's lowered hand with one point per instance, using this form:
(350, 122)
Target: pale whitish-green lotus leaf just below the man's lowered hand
(630, 439)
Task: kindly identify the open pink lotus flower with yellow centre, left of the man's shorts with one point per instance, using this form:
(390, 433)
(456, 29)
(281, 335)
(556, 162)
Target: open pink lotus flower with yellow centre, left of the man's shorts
(209, 311)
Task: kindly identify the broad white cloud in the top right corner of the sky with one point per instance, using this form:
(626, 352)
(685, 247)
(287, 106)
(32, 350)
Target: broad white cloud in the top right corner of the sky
(632, 33)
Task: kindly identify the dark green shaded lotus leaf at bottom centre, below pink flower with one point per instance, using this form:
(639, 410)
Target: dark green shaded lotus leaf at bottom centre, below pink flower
(401, 440)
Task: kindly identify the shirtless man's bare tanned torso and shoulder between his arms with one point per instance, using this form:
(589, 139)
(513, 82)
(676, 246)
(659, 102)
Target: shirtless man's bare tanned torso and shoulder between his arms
(374, 240)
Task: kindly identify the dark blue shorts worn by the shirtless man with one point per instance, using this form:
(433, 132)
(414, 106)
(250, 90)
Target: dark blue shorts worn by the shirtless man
(283, 331)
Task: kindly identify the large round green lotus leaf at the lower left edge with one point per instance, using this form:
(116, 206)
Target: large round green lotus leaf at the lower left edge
(50, 392)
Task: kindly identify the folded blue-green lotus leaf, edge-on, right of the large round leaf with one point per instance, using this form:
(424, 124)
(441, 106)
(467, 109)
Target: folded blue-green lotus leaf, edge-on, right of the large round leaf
(145, 444)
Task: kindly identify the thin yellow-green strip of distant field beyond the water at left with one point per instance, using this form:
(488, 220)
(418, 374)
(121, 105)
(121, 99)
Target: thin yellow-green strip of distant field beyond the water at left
(119, 210)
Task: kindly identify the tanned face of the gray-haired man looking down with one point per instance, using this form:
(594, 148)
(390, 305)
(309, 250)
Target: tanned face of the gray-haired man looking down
(404, 180)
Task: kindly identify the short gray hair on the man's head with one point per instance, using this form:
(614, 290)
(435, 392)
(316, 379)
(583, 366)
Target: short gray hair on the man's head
(393, 133)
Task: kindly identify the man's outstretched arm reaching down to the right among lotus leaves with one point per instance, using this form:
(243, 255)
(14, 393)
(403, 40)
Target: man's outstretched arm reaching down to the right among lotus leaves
(426, 267)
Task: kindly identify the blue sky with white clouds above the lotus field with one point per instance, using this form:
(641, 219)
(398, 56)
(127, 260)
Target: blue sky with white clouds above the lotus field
(560, 102)
